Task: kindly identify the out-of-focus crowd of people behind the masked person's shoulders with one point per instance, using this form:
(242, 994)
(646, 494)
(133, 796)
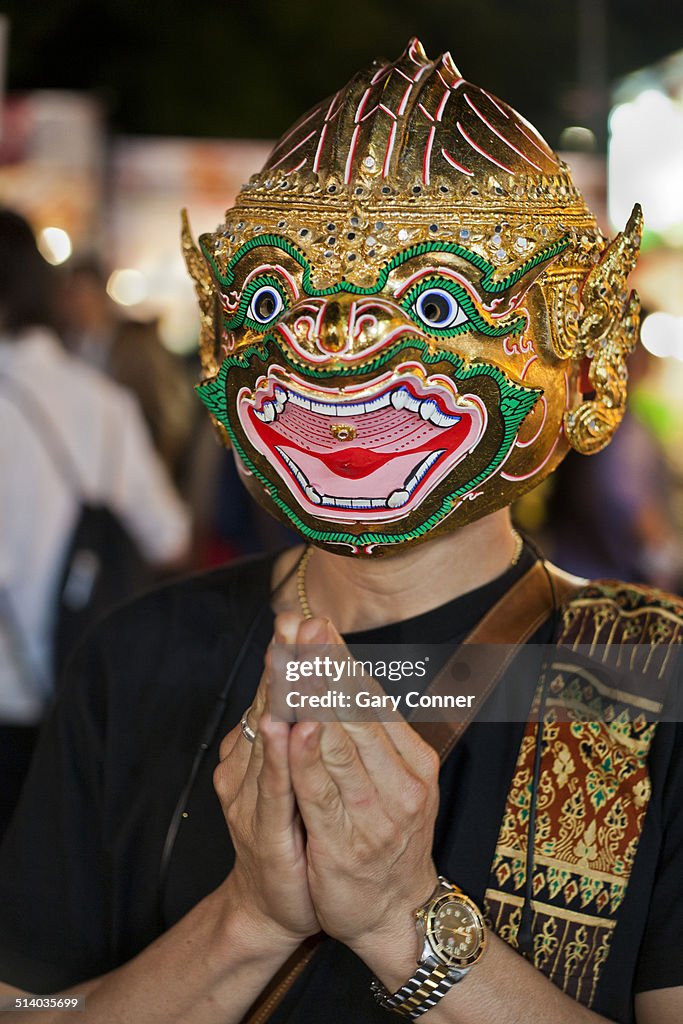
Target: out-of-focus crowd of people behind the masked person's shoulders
(112, 482)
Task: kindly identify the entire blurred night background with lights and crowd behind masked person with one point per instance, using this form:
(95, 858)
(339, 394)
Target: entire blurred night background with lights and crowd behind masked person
(115, 115)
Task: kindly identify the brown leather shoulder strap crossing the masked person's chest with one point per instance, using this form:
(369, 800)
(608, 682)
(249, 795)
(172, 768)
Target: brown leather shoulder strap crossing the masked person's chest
(486, 653)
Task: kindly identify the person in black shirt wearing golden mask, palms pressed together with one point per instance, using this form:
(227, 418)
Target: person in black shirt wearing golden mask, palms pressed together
(409, 318)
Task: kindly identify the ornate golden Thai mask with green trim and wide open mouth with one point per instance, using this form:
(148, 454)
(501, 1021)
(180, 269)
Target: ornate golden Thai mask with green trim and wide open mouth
(410, 314)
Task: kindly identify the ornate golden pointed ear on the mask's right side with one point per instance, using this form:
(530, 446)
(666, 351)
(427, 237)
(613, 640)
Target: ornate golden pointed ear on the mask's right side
(608, 333)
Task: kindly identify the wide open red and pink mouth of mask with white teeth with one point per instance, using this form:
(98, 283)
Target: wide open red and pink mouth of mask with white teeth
(370, 452)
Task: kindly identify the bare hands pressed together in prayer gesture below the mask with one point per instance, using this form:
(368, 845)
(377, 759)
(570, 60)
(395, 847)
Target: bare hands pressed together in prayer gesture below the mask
(332, 822)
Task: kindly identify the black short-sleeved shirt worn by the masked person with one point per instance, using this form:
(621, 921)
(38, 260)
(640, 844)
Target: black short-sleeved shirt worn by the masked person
(80, 885)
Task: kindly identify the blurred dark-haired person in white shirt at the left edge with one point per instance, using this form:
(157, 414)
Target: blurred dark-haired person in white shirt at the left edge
(99, 426)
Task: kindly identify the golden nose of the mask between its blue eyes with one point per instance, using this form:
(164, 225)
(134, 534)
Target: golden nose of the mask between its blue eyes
(345, 326)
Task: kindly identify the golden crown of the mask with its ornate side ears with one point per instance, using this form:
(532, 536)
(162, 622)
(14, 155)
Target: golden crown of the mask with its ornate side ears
(410, 152)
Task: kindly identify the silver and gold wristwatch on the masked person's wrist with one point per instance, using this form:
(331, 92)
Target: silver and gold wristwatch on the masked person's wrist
(453, 938)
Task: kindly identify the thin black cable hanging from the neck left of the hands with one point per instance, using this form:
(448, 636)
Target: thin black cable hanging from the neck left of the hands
(208, 737)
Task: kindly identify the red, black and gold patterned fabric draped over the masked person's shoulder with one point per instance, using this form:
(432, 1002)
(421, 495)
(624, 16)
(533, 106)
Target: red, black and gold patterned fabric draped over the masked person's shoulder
(600, 701)
